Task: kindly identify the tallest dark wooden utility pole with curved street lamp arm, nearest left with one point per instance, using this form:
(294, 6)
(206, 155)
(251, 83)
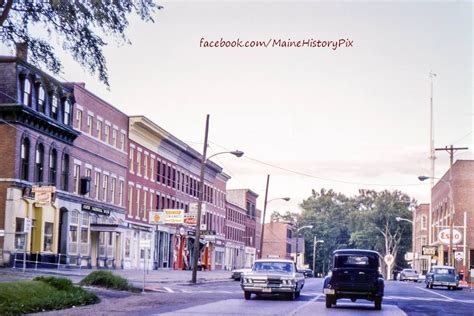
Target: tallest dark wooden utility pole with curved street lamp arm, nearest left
(204, 160)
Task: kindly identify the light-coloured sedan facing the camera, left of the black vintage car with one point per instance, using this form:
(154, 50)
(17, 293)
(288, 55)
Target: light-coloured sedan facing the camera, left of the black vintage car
(272, 276)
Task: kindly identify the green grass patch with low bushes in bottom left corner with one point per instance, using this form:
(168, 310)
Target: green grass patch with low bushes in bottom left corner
(42, 294)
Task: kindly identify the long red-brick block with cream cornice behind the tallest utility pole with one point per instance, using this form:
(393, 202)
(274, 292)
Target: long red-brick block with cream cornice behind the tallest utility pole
(164, 174)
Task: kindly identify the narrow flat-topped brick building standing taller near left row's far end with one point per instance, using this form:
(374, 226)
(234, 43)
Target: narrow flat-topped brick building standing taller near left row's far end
(247, 199)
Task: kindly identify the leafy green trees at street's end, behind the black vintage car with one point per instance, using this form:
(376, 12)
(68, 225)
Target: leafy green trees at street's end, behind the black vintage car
(366, 221)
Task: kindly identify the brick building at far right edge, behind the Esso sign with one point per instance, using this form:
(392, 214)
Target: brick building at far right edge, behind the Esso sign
(462, 184)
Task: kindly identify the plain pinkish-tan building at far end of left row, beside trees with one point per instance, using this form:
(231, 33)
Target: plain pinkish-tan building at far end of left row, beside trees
(277, 240)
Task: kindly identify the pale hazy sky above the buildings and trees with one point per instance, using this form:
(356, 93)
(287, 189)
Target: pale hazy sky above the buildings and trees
(311, 117)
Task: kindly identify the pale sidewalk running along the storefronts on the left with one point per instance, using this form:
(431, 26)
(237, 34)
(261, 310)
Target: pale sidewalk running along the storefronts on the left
(154, 278)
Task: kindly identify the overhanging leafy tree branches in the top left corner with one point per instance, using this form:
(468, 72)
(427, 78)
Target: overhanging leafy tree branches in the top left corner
(80, 25)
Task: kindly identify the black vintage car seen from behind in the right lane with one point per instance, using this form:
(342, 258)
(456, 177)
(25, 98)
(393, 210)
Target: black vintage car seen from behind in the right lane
(355, 275)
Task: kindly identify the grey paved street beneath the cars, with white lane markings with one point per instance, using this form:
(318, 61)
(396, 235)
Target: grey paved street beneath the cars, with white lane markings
(226, 297)
